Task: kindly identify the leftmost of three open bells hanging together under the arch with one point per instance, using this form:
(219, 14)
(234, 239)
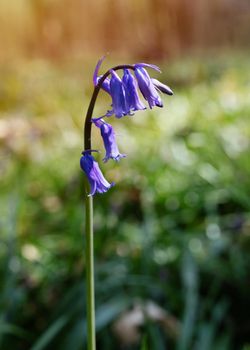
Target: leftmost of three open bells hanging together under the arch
(118, 94)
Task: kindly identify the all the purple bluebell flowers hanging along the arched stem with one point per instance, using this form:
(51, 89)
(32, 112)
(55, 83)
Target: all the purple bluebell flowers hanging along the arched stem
(126, 100)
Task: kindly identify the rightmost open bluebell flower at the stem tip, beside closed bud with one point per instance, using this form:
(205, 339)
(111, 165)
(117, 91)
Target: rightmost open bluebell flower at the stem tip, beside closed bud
(146, 85)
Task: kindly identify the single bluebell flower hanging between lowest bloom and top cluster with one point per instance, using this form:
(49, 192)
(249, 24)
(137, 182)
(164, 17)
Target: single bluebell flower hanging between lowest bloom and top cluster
(108, 136)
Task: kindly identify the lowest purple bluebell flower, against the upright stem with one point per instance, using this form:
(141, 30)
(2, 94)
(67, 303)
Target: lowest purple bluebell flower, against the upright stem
(98, 183)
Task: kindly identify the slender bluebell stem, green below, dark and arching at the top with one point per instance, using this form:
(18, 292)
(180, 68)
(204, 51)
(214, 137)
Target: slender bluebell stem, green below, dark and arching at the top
(90, 285)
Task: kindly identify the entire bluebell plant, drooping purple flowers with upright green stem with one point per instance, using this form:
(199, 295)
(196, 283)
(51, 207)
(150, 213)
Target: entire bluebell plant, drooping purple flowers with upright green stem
(125, 101)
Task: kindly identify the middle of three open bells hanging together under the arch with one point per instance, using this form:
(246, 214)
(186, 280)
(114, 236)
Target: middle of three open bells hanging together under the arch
(132, 97)
